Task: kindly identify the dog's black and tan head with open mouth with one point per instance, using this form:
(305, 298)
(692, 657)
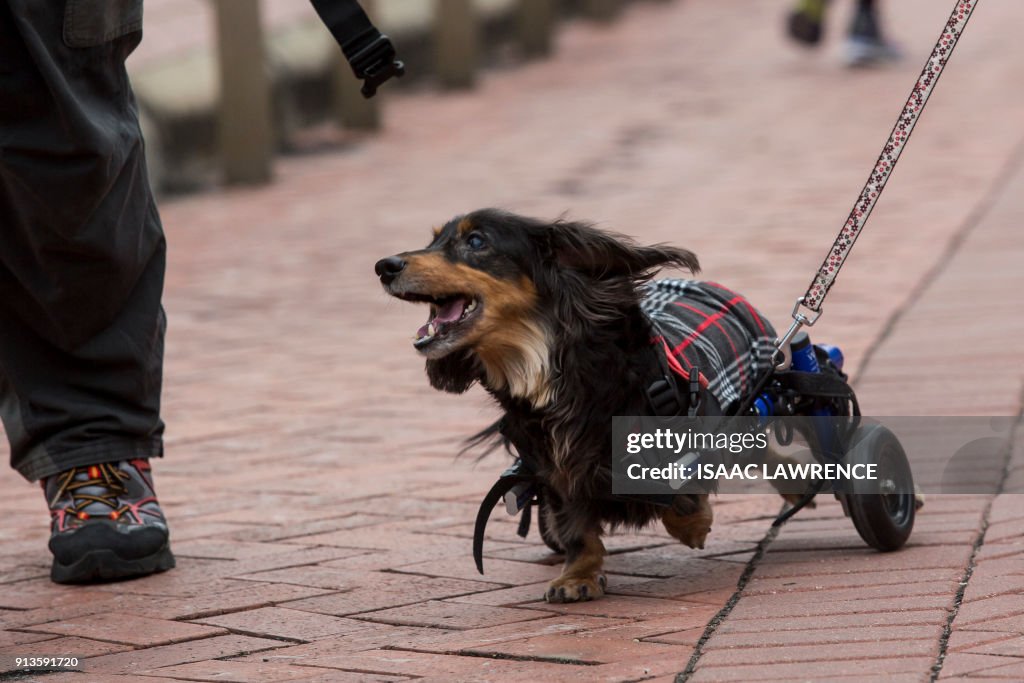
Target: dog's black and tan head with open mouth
(506, 291)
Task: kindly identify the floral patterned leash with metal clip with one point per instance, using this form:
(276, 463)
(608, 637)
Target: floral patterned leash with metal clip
(827, 275)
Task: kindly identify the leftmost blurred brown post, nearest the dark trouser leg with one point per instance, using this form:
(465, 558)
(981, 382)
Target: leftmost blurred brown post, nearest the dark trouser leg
(245, 120)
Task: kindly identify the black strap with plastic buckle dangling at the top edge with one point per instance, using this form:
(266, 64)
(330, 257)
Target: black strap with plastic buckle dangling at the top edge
(370, 53)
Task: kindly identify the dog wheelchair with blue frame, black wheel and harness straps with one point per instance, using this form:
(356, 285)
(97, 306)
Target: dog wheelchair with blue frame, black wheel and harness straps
(814, 389)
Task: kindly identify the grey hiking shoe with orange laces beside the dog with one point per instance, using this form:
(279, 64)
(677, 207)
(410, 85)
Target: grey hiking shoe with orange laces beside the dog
(106, 524)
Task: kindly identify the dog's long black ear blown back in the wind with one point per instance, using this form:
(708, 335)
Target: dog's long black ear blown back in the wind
(604, 255)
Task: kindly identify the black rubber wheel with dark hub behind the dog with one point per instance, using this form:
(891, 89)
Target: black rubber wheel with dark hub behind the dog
(882, 509)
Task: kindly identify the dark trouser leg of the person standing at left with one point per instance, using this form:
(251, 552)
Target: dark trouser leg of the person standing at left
(82, 251)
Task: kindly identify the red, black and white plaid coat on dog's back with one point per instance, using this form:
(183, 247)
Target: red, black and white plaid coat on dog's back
(709, 327)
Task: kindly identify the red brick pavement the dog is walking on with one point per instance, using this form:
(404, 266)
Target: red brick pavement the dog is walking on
(321, 523)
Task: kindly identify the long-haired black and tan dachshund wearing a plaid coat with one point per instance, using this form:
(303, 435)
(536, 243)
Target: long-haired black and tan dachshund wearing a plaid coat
(554, 321)
